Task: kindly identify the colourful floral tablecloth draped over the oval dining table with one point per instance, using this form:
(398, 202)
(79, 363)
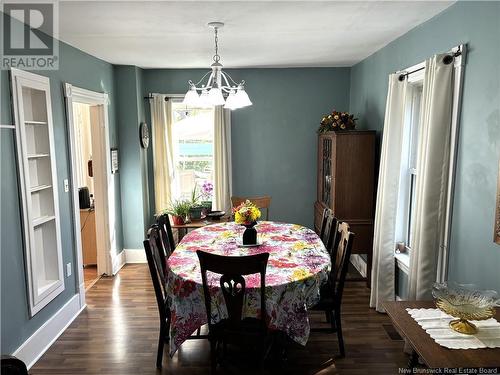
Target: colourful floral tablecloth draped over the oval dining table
(298, 265)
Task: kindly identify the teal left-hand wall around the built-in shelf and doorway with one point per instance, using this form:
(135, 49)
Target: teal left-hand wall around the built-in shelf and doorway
(83, 71)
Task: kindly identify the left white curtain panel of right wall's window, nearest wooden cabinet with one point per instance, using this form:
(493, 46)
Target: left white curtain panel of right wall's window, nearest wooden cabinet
(387, 195)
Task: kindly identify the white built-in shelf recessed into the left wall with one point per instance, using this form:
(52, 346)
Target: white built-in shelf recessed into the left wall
(38, 181)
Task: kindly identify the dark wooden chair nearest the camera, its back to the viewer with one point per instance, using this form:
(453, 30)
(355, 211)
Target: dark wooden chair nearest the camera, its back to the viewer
(234, 329)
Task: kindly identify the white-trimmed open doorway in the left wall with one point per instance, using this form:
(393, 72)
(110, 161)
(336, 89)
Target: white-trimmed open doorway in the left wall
(92, 185)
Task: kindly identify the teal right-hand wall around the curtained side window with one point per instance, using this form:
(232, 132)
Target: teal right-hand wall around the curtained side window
(474, 257)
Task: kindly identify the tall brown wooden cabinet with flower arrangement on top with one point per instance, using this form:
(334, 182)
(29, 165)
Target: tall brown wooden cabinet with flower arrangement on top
(346, 184)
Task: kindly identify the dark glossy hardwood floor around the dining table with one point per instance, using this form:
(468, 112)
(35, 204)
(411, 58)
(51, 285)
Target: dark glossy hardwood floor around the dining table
(118, 332)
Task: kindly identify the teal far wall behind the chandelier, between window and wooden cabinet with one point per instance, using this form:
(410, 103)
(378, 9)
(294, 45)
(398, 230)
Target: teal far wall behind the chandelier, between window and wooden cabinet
(274, 140)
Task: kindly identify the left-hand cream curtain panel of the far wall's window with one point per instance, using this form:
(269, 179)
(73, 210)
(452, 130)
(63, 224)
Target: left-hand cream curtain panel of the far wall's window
(161, 119)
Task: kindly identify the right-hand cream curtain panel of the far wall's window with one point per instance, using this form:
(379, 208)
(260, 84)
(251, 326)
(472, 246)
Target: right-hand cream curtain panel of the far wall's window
(222, 159)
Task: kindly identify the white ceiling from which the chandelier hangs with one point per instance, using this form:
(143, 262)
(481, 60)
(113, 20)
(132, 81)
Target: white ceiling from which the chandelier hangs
(168, 34)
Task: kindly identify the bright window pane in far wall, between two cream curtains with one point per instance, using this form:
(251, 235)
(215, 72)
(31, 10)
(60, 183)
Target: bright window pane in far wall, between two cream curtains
(193, 140)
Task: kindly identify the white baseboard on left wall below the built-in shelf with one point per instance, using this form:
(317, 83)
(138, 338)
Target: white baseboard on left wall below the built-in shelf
(38, 343)
